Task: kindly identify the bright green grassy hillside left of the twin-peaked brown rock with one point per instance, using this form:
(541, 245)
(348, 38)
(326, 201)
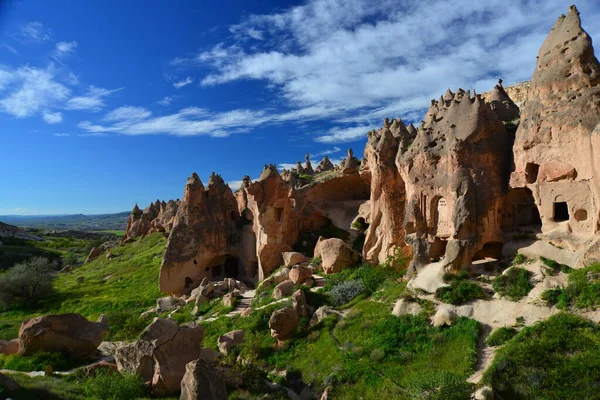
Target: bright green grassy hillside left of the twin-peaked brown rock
(122, 288)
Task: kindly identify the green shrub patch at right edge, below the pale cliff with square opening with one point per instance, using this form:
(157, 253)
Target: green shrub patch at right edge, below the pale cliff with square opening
(583, 290)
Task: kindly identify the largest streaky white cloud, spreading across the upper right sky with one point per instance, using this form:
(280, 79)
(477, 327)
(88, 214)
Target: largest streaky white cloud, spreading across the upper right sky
(355, 62)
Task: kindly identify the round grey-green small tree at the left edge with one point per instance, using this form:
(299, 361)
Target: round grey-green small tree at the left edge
(26, 283)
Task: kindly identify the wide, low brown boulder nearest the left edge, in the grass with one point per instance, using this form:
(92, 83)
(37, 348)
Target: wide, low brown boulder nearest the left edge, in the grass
(71, 334)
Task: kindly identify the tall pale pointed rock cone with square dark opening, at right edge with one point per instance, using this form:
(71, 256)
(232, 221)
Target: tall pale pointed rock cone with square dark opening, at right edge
(557, 142)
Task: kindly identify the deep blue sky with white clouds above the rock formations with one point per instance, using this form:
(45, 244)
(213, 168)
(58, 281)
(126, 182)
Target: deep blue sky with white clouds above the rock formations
(107, 103)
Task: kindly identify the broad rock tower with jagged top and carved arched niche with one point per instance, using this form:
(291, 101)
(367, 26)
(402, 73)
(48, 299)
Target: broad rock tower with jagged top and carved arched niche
(455, 173)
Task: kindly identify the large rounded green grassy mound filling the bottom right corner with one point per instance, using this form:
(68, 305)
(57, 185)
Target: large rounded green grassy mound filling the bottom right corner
(554, 359)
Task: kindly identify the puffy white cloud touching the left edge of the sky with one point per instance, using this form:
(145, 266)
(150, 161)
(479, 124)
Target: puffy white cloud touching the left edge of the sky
(28, 90)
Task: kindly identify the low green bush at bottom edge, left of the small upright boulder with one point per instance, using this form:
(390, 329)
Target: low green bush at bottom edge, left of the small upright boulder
(108, 385)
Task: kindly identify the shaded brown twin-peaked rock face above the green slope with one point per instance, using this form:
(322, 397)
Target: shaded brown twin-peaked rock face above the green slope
(204, 242)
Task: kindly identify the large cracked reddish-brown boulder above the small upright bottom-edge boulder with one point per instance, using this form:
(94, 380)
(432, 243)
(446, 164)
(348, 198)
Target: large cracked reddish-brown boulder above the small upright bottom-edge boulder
(161, 353)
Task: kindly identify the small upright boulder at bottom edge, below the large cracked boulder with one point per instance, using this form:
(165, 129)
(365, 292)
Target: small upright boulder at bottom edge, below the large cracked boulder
(202, 381)
